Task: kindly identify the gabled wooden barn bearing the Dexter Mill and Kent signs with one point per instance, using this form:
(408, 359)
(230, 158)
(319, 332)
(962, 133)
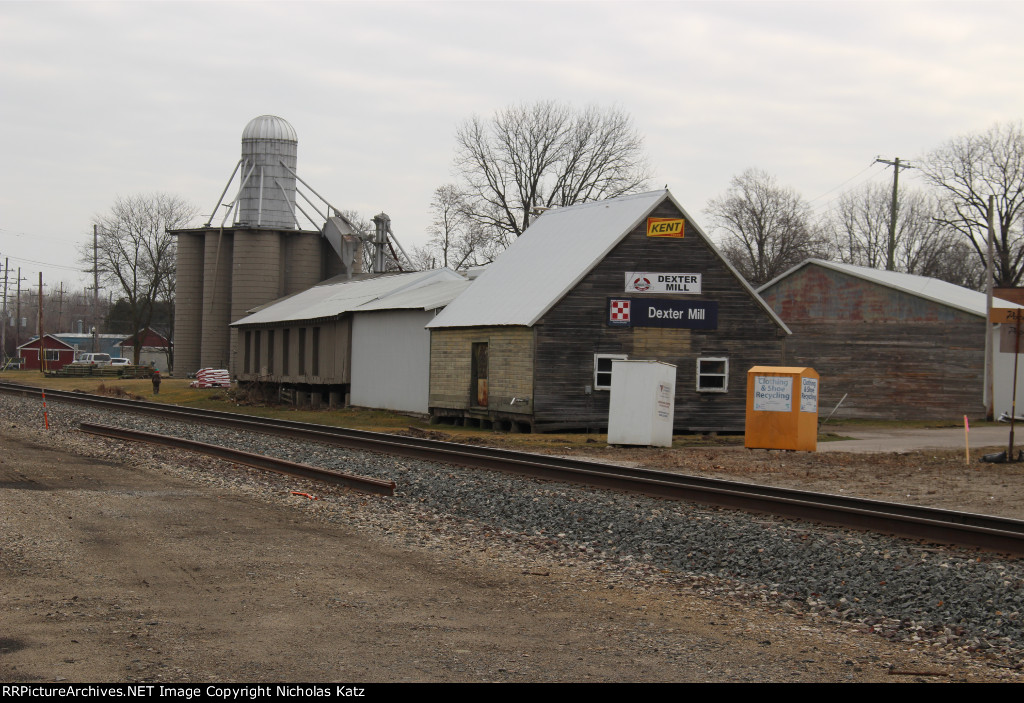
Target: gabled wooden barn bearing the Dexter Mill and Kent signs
(531, 344)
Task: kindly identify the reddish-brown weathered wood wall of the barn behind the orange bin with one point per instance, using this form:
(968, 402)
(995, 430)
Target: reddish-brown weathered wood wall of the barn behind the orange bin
(897, 357)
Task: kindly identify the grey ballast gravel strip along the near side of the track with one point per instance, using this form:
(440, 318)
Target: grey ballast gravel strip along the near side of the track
(954, 602)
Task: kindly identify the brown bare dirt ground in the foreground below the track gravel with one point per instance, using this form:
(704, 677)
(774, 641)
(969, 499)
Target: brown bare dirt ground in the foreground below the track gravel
(137, 573)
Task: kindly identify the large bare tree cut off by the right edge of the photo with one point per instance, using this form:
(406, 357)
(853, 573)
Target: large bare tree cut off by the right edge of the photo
(966, 171)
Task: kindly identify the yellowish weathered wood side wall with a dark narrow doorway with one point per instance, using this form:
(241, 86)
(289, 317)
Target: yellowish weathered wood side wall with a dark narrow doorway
(510, 353)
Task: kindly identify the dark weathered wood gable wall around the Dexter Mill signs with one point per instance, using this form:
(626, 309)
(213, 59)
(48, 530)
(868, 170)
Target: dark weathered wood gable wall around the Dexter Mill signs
(576, 329)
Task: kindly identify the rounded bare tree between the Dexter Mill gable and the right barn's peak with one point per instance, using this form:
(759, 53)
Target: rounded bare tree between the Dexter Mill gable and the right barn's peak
(766, 229)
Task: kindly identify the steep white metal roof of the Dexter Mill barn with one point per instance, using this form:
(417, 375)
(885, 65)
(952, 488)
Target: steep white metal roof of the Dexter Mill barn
(552, 256)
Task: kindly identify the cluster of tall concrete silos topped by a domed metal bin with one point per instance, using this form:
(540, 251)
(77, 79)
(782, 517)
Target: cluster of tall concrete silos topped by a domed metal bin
(267, 246)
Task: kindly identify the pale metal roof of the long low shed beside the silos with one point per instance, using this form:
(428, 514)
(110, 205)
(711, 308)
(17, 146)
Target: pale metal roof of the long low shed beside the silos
(331, 300)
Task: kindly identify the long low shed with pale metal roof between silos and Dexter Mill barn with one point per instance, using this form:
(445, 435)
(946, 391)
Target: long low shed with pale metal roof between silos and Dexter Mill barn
(363, 337)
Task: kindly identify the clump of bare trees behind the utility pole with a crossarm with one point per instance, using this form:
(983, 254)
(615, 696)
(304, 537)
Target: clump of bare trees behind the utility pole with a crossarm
(859, 230)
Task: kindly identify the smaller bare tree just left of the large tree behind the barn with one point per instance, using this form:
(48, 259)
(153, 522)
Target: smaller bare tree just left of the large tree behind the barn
(457, 242)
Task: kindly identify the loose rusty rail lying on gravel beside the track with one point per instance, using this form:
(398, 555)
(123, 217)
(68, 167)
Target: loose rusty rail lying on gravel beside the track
(360, 484)
